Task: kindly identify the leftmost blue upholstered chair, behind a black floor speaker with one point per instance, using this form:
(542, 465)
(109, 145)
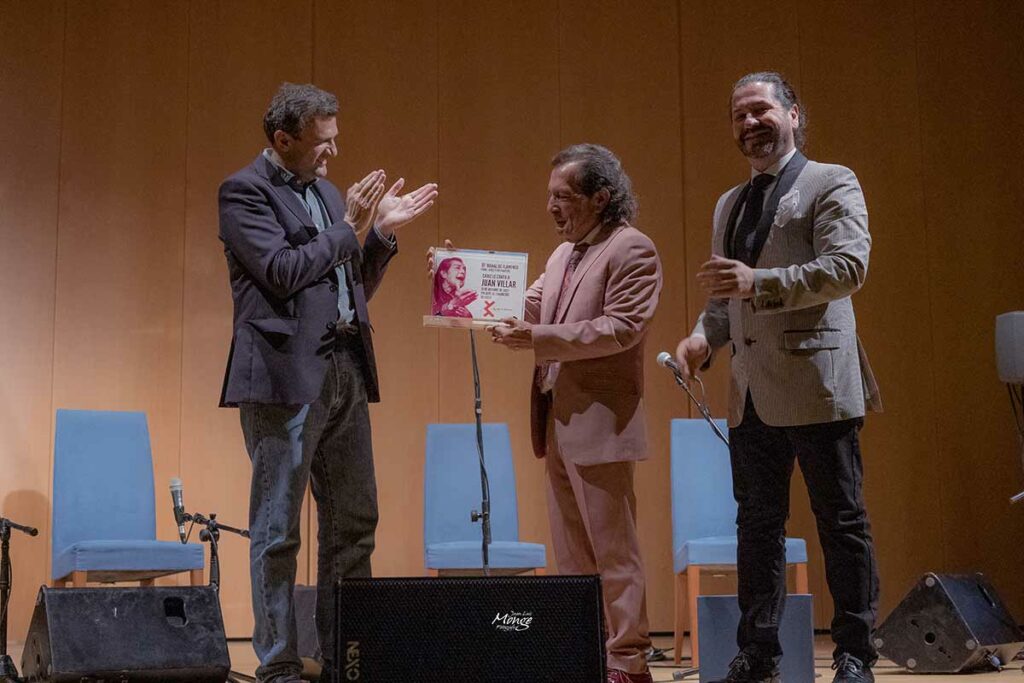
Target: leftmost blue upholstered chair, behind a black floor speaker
(105, 524)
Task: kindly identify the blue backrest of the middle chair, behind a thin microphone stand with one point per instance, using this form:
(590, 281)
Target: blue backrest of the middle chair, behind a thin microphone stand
(452, 484)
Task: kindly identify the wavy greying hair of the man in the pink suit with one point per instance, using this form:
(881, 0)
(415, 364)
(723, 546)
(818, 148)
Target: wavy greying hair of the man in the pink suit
(599, 167)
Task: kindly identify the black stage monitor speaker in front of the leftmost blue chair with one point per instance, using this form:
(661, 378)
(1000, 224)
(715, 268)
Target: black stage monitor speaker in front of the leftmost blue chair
(126, 635)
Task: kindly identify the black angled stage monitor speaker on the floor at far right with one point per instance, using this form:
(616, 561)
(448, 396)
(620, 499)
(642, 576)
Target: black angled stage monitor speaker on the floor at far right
(949, 624)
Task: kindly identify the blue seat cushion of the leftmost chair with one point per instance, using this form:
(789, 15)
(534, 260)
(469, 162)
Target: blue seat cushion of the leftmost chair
(127, 557)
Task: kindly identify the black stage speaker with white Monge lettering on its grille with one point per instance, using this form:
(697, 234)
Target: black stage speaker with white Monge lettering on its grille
(485, 630)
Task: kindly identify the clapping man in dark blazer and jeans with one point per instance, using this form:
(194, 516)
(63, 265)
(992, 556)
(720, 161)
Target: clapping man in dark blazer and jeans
(302, 367)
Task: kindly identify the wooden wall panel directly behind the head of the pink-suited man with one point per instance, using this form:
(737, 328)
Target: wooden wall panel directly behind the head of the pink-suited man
(642, 125)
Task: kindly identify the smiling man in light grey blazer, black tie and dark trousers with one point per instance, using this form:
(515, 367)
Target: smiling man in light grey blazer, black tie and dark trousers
(790, 248)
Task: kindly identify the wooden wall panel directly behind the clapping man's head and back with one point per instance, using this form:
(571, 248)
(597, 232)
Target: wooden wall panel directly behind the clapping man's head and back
(233, 72)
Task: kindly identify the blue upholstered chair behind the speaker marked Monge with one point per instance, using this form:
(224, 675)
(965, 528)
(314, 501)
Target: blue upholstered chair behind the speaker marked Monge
(452, 489)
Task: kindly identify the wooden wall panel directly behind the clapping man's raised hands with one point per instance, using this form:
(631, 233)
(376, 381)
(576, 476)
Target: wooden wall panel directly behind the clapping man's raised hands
(394, 127)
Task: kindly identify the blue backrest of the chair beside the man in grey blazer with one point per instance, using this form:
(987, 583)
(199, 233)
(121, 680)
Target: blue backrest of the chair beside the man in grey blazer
(702, 483)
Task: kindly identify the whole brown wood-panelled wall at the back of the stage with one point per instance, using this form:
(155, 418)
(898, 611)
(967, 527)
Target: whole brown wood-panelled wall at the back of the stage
(122, 119)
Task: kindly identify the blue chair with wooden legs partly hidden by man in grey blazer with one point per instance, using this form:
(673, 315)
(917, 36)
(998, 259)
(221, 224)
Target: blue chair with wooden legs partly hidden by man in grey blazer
(704, 521)
